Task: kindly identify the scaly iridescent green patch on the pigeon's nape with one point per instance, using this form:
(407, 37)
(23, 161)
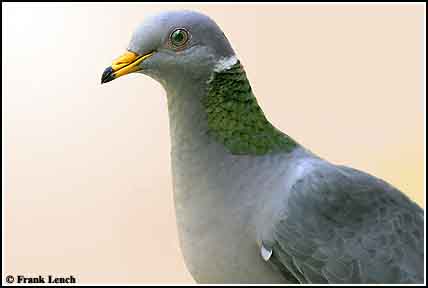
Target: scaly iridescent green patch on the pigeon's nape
(236, 120)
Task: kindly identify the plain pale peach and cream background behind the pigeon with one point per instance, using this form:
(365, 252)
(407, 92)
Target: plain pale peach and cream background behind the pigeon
(88, 178)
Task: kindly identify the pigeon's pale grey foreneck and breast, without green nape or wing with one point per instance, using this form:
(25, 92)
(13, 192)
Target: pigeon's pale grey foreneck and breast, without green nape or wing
(218, 235)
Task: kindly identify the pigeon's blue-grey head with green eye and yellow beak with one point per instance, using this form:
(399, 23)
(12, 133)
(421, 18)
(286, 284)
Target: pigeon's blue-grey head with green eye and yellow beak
(173, 46)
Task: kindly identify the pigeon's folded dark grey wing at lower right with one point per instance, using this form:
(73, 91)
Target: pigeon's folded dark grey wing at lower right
(340, 225)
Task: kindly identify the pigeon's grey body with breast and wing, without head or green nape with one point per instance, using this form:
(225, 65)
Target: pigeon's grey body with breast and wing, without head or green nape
(298, 205)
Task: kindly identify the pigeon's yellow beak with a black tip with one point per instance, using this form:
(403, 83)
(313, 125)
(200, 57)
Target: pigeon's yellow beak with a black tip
(125, 64)
